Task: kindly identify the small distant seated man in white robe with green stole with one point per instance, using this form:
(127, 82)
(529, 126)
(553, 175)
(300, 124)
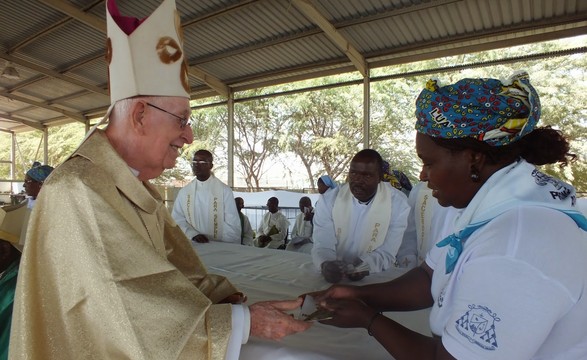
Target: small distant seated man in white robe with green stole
(273, 228)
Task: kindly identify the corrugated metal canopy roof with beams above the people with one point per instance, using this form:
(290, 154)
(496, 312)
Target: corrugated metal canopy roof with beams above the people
(54, 72)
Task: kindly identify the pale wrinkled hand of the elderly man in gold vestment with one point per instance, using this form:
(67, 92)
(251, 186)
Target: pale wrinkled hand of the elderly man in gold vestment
(269, 321)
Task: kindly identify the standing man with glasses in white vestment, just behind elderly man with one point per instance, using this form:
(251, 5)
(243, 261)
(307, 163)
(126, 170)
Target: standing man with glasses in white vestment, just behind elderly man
(205, 209)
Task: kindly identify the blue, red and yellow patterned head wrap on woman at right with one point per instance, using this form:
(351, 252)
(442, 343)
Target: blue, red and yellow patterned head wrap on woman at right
(489, 110)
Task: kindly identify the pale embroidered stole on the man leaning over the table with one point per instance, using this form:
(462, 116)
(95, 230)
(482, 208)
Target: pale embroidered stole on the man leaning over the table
(375, 222)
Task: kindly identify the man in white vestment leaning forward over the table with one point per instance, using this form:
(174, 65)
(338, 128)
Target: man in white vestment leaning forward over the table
(358, 227)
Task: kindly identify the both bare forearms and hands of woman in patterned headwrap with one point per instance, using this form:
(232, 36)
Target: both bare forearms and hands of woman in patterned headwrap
(355, 306)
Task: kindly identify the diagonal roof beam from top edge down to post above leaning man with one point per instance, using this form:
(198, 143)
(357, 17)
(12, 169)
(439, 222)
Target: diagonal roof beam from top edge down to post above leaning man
(308, 8)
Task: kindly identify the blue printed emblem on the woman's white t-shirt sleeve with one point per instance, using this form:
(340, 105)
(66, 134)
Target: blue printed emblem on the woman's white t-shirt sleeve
(478, 326)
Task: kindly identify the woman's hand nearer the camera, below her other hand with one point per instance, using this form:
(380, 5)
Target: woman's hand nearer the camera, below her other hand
(348, 313)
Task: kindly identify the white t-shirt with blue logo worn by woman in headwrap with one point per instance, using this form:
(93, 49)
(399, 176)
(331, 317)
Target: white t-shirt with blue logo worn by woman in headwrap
(518, 290)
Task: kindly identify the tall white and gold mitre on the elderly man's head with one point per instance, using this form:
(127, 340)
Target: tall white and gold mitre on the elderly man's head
(145, 57)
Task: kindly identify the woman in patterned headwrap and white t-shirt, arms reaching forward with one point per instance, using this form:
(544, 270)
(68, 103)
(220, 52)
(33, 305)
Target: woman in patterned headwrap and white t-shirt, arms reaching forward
(510, 282)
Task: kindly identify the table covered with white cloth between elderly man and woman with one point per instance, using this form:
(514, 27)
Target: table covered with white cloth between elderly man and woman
(269, 274)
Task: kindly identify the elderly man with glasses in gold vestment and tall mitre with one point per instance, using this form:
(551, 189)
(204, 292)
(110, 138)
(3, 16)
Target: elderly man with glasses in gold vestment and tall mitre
(106, 272)
